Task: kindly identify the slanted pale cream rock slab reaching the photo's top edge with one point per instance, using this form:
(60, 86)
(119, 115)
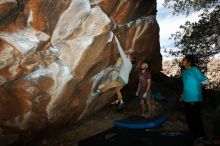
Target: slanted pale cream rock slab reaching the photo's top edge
(71, 20)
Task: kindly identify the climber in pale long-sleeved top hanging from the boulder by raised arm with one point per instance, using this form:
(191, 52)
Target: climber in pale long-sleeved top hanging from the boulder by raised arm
(121, 74)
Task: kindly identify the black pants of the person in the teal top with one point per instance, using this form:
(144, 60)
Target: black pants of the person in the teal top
(192, 112)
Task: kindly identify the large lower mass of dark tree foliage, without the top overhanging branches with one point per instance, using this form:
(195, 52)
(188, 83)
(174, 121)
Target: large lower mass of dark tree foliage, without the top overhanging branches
(201, 38)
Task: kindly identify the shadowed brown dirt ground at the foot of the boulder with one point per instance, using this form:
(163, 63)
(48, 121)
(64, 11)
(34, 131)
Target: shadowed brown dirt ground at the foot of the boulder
(101, 121)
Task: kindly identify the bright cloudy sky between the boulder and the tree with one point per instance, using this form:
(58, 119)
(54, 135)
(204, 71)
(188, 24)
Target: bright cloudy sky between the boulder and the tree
(169, 24)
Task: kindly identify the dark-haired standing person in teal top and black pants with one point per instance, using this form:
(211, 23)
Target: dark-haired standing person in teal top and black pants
(193, 79)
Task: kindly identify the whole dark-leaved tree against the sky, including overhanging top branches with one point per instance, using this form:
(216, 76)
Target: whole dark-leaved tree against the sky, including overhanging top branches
(202, 38)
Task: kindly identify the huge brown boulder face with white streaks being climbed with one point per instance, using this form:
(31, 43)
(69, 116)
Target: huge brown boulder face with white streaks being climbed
(54, 54)
